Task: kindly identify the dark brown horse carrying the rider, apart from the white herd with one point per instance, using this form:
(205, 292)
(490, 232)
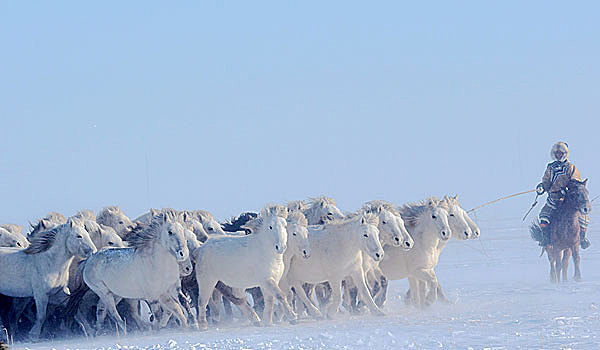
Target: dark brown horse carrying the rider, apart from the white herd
(564, 231)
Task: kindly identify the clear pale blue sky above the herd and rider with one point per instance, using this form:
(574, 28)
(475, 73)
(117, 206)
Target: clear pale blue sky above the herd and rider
(225, 106)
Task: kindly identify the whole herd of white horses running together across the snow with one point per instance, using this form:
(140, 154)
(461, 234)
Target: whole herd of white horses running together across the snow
(183, 268)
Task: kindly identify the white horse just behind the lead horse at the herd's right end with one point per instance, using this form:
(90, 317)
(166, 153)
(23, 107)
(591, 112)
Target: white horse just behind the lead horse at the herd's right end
(428, 225)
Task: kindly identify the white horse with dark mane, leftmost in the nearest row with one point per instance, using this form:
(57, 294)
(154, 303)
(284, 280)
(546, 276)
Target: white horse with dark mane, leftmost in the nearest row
(42, 270)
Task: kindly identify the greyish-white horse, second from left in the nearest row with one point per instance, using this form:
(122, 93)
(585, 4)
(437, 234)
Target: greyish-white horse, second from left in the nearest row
(149, 270)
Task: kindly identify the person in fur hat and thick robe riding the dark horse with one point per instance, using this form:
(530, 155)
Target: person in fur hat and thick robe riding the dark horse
(555, 181)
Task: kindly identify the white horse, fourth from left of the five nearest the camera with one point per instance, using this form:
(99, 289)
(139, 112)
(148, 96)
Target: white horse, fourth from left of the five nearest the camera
(337, 250)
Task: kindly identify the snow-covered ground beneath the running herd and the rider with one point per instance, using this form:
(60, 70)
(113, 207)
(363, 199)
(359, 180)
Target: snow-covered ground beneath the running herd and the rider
(503, 301)
